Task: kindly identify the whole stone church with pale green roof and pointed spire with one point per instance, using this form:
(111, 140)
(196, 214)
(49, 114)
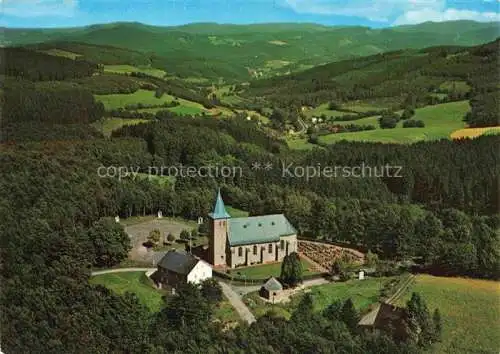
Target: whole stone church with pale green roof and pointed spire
(246, 241)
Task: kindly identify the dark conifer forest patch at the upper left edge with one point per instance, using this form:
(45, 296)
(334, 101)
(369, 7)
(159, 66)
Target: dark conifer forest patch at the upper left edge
(36, 66)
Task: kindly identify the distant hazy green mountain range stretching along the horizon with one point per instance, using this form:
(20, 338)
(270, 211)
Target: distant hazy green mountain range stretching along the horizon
(242, 52)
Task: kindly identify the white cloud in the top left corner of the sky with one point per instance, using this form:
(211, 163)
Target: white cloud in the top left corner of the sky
(38, 8)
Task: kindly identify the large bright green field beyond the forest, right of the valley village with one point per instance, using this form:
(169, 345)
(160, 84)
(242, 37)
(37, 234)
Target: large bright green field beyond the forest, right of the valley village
(440, 121)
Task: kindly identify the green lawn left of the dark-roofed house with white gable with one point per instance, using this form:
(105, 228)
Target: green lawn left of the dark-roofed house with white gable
(134, 282)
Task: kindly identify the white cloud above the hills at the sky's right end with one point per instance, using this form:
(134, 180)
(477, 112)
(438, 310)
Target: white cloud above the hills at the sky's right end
(412, 17)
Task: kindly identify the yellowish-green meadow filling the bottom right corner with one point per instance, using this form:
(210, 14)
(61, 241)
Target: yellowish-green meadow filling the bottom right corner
(469, 310)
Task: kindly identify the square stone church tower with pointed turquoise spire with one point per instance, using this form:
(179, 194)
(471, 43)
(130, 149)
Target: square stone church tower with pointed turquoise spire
(219, 229)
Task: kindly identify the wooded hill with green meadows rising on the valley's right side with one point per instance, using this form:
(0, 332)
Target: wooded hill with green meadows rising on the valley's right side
(357, 92)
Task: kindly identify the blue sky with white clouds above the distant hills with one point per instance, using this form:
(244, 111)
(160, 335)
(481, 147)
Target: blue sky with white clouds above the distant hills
(373, 13)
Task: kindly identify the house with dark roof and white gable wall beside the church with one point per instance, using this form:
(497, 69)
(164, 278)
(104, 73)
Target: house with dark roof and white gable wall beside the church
(179, 267)
